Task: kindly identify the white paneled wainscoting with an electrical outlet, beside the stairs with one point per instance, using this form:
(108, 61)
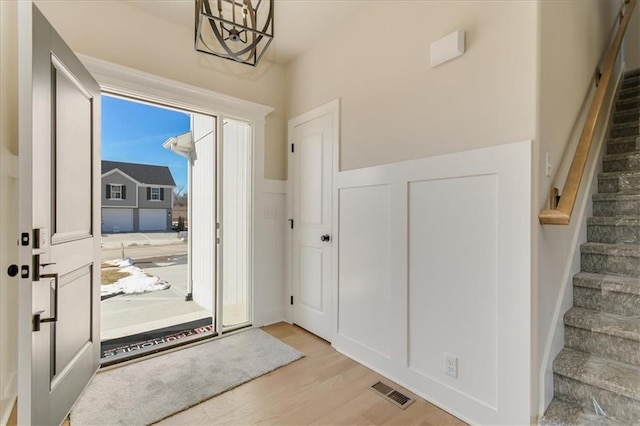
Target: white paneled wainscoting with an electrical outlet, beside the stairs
(434, 258)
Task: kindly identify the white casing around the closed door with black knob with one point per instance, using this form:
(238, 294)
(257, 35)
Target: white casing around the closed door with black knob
(330, 108)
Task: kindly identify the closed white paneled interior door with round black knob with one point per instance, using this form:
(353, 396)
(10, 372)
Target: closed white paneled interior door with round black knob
(312, 164)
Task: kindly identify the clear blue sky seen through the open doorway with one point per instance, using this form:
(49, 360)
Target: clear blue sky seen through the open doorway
(133, 132)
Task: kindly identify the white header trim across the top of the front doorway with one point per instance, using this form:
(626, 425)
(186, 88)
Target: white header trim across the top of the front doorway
(138, 84)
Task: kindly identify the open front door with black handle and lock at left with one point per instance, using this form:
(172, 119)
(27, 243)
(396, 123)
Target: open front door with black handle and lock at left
(59, 202)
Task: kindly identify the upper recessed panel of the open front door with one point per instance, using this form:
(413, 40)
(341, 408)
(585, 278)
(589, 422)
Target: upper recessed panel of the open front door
(73, 128)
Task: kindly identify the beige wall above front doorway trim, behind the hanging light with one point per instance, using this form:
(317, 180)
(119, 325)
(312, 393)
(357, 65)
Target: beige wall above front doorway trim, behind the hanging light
(121, 33)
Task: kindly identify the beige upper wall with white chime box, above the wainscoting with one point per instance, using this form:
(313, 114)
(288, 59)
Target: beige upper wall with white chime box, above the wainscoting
(394, 106)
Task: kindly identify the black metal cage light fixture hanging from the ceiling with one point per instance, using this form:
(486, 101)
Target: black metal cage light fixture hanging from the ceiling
(239, 30)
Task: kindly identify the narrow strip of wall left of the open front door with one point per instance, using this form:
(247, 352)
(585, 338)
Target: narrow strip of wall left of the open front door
(8, 206)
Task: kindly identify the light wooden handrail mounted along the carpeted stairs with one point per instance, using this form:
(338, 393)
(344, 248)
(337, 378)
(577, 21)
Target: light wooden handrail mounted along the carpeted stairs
(561, 215)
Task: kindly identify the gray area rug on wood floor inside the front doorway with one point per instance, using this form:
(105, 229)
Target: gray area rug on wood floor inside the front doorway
(150, 390)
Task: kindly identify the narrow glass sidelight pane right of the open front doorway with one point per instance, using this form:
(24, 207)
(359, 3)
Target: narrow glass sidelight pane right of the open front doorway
(236, 217)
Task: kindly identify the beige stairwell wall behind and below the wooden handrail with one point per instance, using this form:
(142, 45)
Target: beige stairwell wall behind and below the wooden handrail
(572, 39)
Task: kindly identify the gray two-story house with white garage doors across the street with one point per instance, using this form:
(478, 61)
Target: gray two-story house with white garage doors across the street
(136, 197)
